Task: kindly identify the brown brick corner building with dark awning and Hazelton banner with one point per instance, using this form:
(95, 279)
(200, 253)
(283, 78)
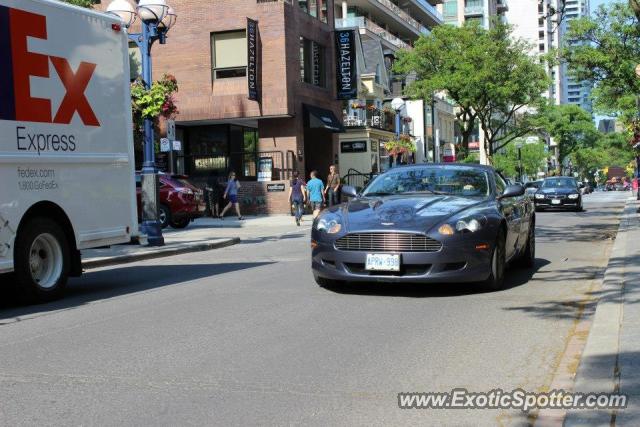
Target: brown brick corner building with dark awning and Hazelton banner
(292, 125)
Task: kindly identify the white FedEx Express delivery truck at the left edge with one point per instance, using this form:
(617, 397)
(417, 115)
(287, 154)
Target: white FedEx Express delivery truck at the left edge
(67, 178)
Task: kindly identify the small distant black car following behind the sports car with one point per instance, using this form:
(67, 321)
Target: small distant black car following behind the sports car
(560, 192)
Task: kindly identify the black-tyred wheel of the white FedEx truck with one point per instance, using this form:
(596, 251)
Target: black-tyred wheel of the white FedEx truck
(42, 261)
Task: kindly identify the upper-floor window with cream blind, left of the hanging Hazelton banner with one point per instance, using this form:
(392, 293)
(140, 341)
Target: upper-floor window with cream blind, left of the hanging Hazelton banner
(229, 54)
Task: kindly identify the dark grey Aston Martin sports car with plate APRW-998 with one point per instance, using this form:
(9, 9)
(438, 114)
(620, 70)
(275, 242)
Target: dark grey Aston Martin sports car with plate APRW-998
(427, 223)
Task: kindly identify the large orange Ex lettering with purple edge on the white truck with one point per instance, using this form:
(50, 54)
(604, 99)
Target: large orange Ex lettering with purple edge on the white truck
(16, 102)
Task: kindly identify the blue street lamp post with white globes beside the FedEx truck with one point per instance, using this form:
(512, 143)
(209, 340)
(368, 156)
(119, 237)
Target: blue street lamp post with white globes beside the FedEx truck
(156, 18)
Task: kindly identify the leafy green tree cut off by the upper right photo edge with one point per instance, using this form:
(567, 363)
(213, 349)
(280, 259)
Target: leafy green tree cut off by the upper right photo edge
(606, 51)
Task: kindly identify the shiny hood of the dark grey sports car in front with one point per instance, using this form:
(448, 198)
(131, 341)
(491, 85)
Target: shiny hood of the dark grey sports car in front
(403, 212)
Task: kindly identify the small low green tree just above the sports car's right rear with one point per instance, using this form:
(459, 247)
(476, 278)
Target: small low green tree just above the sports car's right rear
(533, 159)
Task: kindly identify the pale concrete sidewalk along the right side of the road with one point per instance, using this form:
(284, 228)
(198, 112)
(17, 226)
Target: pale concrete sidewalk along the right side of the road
(610, 362)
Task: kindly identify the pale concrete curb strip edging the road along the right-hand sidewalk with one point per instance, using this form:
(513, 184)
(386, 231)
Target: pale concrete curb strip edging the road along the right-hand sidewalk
(598, 369)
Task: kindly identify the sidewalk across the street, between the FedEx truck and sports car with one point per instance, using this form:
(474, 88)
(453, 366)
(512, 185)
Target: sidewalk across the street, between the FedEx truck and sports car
(201, 235)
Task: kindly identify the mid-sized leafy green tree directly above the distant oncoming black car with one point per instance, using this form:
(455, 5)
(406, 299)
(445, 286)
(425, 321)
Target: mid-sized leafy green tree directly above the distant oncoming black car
(570, 126)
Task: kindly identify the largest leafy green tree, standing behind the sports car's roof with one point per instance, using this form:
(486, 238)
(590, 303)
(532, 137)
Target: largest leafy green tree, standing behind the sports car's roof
(487, 73)
